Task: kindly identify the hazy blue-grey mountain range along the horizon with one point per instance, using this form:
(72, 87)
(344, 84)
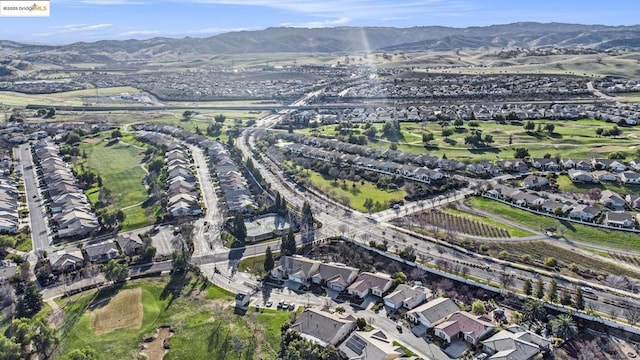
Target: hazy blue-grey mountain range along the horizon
(342, 40)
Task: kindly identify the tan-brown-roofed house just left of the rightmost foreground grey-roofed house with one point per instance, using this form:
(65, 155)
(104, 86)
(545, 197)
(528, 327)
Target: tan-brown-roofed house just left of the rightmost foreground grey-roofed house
(462, 324)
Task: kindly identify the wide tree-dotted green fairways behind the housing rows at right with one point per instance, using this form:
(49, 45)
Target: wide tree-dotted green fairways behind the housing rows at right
(576, 139)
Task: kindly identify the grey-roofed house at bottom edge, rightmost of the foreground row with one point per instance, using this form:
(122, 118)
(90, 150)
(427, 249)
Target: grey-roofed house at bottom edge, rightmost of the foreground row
(515, 343)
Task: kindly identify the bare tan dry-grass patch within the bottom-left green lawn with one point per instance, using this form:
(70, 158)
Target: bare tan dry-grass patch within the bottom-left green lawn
(123, 311)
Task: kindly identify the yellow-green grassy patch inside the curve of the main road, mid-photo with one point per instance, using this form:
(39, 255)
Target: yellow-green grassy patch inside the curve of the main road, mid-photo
(358, 194)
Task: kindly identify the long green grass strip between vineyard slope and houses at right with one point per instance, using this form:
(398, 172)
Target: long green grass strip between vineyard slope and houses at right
(572, 231)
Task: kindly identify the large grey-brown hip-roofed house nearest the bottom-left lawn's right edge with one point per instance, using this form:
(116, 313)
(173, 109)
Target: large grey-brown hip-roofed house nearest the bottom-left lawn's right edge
(323, 327)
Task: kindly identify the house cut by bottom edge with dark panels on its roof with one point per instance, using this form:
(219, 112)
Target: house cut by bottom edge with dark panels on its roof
(374, 345)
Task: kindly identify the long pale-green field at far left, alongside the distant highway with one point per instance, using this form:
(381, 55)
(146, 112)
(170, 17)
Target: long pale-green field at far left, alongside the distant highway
(69, 98)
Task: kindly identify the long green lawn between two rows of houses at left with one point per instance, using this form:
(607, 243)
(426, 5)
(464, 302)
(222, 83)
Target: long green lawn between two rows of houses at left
(119, 166)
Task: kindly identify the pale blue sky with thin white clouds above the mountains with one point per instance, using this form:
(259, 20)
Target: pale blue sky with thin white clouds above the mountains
(92, 20)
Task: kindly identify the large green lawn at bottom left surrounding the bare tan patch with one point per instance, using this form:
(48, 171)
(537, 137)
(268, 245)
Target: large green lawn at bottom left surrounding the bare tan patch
(201, 314)
